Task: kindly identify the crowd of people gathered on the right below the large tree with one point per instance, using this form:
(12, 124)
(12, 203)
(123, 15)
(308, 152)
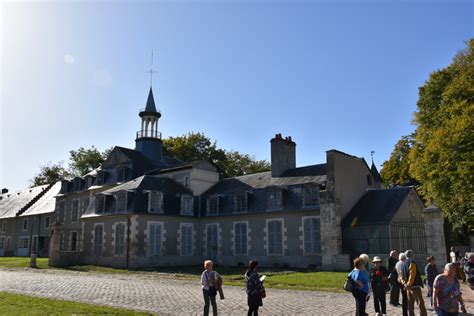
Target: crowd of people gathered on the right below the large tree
(402, 276)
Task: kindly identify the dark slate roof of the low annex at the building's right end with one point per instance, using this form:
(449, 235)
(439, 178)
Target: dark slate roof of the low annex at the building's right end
(377, 206)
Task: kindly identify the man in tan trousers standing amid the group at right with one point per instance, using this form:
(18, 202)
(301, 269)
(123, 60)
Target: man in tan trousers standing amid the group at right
(413, 284)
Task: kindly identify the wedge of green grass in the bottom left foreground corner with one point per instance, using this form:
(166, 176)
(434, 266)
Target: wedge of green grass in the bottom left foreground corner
(15, 304)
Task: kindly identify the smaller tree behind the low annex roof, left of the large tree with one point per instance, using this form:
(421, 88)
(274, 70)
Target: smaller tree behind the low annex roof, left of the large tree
(396, 170)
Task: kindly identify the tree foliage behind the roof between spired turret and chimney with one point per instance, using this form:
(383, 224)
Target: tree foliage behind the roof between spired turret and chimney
(196, 146)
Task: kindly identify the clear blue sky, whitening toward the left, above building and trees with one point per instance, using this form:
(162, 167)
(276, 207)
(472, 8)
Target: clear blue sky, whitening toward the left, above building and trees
(331, 74)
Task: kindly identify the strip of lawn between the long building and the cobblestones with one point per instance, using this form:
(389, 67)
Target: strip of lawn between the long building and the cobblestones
(297, 280)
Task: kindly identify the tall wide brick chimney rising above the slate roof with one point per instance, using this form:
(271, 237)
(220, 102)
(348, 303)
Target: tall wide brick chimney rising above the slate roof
(283, 154)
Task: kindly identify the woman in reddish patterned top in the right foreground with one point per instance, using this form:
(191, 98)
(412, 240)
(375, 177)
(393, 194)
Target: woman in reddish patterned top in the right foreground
(446, 293)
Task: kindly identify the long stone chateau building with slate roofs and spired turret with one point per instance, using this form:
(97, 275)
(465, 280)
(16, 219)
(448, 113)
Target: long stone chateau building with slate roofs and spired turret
(143, 209)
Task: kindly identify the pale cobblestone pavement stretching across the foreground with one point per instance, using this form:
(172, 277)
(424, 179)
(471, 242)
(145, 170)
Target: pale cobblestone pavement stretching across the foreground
(167, 296)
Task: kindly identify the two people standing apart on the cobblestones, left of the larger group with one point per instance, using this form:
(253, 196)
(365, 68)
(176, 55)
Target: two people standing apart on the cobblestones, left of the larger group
(211, 284)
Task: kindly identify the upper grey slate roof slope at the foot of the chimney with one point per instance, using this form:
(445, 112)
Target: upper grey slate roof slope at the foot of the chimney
(308, 174)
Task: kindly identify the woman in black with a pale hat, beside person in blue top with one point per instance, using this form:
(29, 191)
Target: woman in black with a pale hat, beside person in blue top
(379, 281)
